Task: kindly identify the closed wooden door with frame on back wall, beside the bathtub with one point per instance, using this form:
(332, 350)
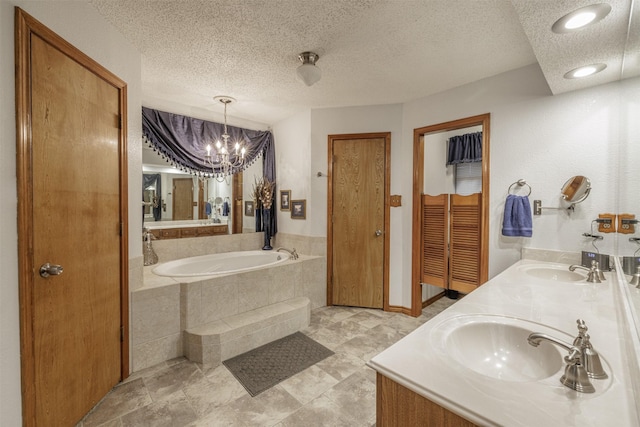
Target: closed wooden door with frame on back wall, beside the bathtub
(358, 219)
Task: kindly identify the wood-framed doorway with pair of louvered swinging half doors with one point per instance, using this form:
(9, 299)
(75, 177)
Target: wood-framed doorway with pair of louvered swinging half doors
(446, 199)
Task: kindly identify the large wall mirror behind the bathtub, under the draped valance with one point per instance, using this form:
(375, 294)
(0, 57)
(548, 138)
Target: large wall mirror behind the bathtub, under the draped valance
(172, 198)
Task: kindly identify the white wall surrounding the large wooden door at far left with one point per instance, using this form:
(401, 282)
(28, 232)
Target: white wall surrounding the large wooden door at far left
(80, 24)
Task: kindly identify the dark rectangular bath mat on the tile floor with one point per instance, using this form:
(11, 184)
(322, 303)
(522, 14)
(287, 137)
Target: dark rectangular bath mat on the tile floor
(262, 368)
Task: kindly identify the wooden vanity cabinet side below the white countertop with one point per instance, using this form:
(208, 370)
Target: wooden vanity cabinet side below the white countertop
(398, 406)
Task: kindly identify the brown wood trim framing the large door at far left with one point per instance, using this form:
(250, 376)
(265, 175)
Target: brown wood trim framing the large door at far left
(25, 26)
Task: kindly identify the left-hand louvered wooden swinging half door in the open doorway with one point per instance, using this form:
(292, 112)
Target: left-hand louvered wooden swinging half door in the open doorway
(435, 224)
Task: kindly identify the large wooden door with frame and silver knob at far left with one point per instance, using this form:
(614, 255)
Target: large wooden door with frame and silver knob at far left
(72, 212)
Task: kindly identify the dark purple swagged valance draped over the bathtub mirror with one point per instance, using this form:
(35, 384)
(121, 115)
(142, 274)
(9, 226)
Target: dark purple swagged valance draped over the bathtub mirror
(183, 141)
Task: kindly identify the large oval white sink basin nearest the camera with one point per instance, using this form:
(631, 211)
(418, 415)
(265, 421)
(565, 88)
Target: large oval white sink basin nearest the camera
(497, 347)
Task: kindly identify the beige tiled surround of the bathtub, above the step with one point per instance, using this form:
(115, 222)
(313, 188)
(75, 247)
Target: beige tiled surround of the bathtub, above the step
(165, 307)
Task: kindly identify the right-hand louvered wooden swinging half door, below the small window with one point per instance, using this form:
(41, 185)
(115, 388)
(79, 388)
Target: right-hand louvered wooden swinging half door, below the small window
(465, 244)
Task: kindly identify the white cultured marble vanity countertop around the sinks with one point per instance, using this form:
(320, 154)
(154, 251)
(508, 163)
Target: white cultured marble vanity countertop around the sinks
(421, 362)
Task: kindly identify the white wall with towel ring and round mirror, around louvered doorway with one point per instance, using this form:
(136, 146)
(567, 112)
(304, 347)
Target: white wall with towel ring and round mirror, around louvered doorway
(544, 139)
